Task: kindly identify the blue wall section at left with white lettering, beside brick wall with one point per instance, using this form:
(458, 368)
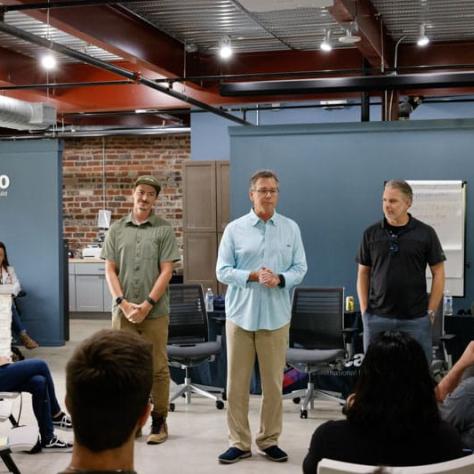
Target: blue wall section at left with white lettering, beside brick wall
(31, 228)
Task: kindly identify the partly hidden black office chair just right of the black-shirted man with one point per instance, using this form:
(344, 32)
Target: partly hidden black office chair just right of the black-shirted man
(442, 360)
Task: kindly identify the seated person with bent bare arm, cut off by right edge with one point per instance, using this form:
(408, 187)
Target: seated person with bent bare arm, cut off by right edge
(456, 392)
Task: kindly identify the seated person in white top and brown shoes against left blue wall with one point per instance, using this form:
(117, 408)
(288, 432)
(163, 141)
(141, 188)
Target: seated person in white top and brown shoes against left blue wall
(9, 285)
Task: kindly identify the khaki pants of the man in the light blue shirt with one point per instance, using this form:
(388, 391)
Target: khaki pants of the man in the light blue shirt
(270, 348)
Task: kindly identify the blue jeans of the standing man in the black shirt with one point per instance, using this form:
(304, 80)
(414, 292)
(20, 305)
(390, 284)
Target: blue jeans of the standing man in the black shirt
(418, 328)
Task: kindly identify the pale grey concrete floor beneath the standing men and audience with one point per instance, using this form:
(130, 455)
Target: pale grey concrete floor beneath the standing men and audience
(197, 431)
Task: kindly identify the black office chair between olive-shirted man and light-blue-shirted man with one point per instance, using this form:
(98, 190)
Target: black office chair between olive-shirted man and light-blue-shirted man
(188, 341)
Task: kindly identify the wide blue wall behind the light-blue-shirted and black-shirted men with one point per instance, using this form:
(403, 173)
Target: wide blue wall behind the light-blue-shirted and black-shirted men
(332, 179)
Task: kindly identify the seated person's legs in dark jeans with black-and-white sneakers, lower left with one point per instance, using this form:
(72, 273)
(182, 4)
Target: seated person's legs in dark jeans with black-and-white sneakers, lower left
(33, 376)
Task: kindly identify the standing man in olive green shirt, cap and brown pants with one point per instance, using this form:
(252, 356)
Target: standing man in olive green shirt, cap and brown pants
(140, 250)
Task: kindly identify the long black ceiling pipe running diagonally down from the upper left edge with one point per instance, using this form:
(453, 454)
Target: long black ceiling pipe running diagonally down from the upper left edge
(24, 35)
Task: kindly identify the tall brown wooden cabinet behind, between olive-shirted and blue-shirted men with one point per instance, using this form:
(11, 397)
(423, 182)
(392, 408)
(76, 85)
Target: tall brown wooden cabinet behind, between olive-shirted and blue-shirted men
(206, 213)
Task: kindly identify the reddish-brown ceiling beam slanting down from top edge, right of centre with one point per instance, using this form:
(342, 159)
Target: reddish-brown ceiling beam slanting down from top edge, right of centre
(375, 45)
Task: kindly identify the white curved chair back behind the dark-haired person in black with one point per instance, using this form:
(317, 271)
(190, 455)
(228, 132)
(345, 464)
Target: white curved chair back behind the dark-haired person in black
(463, 465)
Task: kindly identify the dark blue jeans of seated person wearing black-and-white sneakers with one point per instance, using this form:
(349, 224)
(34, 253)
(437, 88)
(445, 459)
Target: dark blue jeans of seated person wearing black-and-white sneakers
(33, 376)
